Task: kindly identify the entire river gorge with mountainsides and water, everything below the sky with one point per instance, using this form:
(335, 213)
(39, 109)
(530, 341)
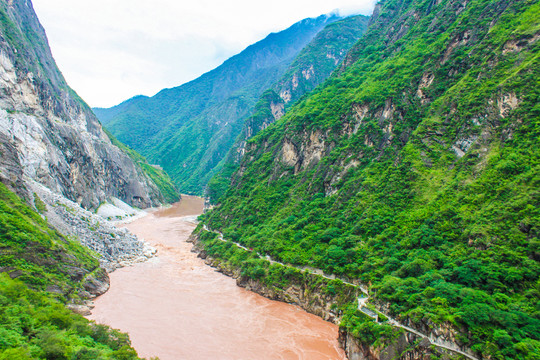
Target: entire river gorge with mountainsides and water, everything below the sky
(381, 174)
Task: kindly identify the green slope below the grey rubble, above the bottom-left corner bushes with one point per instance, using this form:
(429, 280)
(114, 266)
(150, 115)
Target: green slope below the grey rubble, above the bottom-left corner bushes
(36, 254)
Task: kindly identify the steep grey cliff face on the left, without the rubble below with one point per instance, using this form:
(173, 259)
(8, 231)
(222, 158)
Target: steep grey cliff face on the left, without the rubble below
(47, 133)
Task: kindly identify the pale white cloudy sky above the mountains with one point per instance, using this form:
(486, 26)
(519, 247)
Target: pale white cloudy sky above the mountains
(112, 50)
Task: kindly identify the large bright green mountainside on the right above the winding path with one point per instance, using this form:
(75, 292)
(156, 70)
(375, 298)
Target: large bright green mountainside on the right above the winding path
(415, 170)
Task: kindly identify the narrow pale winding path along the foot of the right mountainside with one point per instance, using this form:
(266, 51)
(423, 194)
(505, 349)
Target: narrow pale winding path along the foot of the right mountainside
(362, 301)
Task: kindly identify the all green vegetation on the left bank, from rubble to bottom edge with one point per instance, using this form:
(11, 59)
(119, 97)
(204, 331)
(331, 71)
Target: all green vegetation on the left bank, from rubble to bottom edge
(49, 271)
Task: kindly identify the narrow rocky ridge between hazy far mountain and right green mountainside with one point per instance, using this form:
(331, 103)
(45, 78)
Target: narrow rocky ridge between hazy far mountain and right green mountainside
(311, 67)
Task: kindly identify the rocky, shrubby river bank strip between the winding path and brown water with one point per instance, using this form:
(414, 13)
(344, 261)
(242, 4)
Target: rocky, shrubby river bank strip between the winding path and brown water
(365, 334)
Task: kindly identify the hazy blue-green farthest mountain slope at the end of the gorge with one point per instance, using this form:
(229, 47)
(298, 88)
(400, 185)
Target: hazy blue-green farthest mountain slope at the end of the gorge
(189, 129)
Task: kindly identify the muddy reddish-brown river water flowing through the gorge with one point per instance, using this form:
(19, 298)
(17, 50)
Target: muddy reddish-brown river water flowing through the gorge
(178, 308)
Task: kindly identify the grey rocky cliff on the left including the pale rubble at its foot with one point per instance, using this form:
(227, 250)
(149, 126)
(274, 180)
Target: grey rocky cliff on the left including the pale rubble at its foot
(54, 151)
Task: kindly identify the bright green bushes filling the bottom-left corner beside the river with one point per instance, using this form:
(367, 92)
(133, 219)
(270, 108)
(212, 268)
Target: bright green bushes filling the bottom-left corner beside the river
(34, 326)
